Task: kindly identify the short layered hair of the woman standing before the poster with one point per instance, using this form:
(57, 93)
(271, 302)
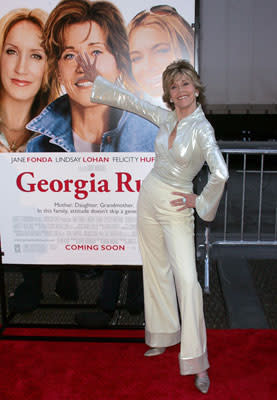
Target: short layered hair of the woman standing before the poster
(170, 74)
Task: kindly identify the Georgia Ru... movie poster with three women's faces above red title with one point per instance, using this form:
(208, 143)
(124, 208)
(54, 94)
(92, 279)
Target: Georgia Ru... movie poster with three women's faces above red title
(73, 175)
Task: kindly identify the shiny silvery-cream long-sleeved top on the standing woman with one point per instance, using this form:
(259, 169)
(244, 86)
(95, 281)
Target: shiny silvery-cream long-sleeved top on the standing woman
(194, 144)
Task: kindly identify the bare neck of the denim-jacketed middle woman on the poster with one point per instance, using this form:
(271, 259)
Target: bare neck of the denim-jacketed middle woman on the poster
(91, 122)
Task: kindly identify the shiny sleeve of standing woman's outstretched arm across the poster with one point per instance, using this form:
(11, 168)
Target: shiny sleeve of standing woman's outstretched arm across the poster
(104, 92)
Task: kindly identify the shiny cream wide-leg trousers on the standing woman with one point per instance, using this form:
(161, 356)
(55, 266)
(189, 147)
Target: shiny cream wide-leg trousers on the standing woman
(173, 297)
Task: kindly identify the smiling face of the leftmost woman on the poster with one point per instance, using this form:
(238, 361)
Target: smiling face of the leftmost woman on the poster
(22, 62)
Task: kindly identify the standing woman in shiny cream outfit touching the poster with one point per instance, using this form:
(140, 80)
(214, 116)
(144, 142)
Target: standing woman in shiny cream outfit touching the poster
(165, 211)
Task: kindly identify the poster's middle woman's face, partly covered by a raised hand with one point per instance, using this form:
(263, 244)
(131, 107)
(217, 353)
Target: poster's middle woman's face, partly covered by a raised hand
(80, 38)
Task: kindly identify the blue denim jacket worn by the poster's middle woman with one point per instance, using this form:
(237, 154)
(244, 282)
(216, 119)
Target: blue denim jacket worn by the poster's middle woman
(132, 133)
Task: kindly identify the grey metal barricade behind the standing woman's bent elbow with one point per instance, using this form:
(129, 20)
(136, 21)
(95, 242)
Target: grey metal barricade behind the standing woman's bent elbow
(247, 215)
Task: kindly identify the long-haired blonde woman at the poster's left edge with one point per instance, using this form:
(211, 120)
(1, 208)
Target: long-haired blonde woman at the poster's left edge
(24, 86)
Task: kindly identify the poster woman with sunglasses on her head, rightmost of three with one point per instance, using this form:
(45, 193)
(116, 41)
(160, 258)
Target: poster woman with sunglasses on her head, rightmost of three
(156, 38)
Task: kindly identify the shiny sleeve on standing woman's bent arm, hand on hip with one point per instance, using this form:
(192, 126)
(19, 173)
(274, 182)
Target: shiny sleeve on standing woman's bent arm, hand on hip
(207, 202)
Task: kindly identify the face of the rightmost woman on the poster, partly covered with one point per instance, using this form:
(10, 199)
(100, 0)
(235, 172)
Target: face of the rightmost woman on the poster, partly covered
(150, 51)
